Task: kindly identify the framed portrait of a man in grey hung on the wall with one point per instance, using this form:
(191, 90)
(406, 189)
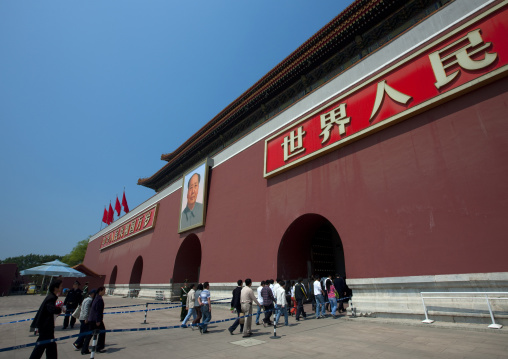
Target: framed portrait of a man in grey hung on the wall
(192, 210)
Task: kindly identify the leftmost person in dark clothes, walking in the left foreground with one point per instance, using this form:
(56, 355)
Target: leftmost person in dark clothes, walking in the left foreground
(45, 322)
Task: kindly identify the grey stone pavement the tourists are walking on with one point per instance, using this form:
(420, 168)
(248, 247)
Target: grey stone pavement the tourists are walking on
(343, 337)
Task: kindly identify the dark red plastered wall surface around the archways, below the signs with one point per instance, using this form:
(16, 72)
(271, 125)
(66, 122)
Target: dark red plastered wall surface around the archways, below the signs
(426, 196)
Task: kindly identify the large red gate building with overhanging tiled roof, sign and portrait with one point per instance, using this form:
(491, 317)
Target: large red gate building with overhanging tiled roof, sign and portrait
(378, 149)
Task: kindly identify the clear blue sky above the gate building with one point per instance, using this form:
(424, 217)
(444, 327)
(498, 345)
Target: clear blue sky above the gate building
(93, 92)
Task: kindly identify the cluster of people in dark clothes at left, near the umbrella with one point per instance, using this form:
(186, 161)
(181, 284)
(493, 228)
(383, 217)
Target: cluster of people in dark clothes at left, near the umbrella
(87, 306)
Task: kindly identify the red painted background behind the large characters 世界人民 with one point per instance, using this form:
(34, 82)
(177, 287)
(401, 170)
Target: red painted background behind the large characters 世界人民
(415, 78)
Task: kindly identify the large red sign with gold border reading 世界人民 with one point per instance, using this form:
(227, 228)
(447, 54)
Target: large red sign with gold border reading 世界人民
(469, 57)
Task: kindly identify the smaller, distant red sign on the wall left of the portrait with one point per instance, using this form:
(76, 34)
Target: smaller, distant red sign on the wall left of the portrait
(142, 222)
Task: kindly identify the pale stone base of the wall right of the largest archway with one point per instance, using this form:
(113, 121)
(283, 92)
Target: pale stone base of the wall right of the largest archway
(399, 297)
